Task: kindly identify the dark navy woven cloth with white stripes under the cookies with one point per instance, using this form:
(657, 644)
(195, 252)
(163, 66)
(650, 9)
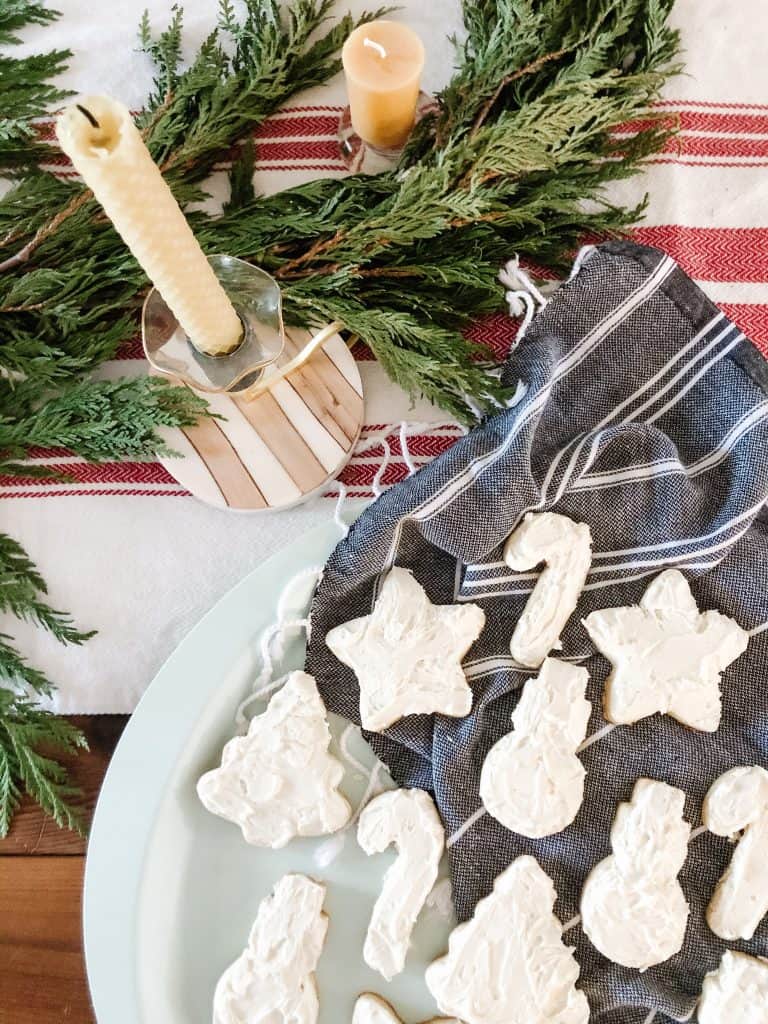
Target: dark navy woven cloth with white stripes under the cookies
(646, 415)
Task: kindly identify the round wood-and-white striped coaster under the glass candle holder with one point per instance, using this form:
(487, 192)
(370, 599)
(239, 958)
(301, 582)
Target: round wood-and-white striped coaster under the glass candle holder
(284, 446)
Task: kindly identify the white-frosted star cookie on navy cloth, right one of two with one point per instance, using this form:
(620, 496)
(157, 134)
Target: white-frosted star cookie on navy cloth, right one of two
(667, 656)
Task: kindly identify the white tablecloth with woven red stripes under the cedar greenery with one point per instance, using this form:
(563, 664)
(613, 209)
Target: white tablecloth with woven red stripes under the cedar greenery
(132, 558)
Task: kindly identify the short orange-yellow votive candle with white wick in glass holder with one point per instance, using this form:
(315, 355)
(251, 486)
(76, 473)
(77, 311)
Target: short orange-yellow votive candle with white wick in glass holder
(383, 63)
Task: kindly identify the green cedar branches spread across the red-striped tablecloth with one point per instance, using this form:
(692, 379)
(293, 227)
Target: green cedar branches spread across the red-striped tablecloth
(516, 158)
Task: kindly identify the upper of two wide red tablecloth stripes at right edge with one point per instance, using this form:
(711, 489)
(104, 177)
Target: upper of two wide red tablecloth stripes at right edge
(713, 253)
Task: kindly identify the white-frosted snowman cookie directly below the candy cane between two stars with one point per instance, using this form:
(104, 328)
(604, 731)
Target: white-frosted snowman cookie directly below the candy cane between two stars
(532, 781)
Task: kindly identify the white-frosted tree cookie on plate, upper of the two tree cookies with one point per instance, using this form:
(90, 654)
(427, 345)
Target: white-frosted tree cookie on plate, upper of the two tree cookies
(280, 781)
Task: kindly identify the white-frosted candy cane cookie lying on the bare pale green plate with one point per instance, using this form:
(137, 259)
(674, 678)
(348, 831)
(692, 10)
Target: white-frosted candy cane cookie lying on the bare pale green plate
(409, 820)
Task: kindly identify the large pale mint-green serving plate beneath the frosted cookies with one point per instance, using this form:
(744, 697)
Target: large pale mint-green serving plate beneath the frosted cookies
(172, 891)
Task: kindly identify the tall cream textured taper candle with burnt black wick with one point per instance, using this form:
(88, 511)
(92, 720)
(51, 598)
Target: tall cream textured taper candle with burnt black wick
(100, 138)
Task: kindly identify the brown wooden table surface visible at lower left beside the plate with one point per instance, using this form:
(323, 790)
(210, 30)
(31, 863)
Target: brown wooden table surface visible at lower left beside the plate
(42, 971)
